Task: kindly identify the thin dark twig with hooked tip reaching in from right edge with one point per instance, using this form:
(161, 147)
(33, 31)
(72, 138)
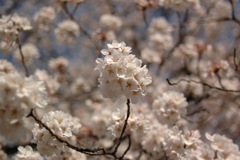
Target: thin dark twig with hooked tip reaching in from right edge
(202, 83)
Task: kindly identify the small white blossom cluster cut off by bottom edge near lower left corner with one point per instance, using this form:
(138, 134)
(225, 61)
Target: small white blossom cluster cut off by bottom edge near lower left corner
(27, 153)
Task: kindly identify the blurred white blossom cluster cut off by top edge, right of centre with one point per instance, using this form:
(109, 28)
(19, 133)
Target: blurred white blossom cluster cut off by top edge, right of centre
(178, 4)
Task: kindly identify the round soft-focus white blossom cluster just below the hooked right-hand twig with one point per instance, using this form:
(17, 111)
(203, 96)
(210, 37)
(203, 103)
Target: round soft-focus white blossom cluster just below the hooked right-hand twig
(170, 107)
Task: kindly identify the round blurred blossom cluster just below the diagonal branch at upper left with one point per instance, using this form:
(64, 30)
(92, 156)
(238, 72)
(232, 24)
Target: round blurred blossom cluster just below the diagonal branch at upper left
(67, 31)
